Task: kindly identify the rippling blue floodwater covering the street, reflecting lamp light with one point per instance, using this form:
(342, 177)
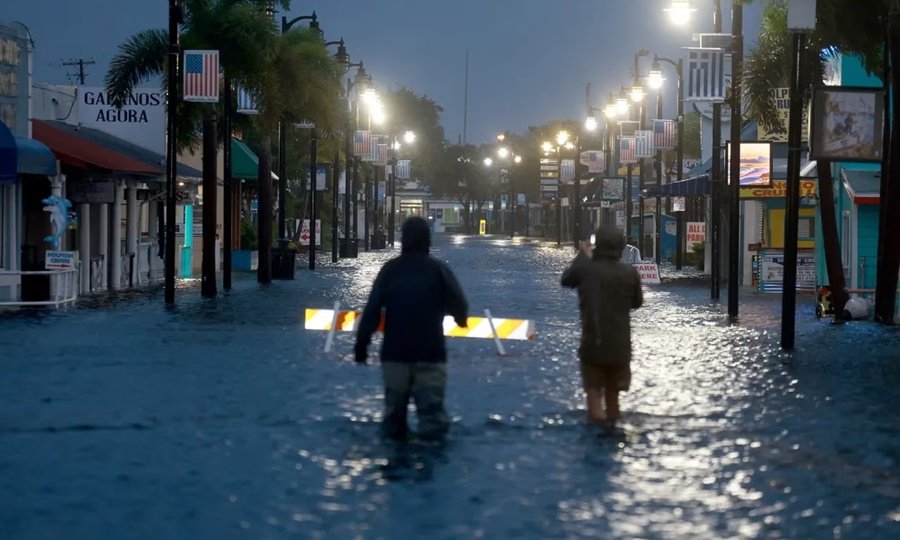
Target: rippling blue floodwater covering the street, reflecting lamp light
(225, 419)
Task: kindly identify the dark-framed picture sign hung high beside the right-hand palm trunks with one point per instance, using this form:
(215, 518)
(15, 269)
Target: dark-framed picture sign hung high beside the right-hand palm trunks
(847, 124)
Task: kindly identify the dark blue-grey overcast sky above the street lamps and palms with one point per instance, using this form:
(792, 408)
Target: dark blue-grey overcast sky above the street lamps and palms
(529, 60)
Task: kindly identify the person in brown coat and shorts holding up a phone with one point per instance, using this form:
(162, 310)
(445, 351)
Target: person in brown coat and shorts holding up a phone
(607, 292)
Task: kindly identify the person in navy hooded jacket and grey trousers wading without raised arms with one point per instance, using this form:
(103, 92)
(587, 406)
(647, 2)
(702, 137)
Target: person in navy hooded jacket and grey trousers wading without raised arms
(415, 292)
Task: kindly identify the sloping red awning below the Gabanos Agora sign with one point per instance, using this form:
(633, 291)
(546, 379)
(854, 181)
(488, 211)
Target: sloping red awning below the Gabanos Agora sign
(81, 152)
